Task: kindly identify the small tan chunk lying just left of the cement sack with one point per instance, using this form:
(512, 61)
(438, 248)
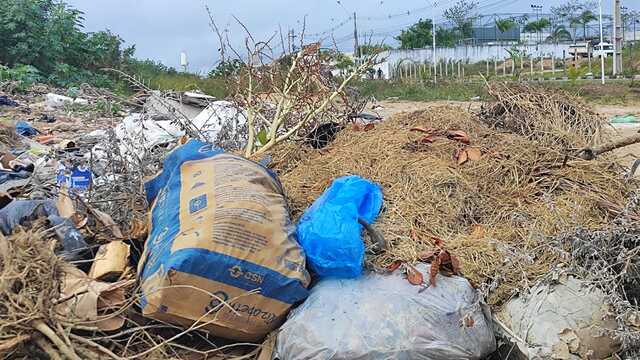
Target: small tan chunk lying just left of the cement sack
(110, 262)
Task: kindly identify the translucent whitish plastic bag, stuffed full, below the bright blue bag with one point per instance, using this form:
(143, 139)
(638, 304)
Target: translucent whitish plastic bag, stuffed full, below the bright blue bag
(384, 317)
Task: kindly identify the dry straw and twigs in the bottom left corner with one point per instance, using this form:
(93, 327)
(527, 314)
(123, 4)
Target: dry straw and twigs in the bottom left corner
(34, 323)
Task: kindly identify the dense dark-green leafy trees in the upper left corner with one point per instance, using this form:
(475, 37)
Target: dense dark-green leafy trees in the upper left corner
(46, 39)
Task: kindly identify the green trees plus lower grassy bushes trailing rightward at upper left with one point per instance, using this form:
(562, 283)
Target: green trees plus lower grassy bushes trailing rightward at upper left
(44, 41)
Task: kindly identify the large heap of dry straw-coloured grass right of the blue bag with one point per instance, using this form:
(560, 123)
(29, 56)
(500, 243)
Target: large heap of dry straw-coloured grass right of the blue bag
(493, 211)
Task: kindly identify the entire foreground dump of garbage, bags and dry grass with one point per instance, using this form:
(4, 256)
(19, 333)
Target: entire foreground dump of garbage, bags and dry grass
(431, 235)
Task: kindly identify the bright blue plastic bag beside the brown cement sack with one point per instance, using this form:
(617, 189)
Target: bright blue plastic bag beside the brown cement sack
(329, 231)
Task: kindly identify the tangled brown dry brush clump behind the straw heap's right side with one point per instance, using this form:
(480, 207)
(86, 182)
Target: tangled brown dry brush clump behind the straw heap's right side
(548, 116)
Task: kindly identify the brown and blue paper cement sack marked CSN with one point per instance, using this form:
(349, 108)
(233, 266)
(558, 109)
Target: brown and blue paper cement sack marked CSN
(219, 229)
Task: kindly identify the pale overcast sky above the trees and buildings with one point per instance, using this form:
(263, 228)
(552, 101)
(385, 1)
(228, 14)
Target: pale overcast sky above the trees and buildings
(161, 29)
